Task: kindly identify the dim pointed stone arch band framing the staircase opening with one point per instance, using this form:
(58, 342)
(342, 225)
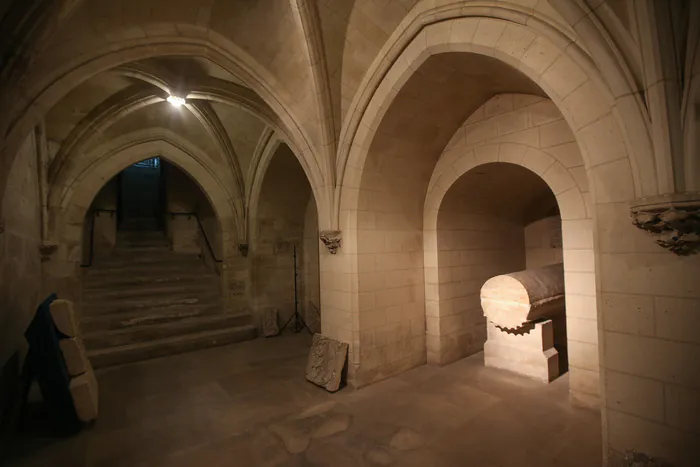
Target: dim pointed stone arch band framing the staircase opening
(77, 184)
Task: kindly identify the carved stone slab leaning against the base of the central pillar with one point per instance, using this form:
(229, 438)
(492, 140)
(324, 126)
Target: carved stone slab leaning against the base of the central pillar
(327, 360)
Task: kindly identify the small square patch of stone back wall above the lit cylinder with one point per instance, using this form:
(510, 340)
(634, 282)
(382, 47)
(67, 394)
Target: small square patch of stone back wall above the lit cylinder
(543, 244)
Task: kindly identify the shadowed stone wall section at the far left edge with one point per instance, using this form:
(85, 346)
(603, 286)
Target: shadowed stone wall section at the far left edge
(20, 265)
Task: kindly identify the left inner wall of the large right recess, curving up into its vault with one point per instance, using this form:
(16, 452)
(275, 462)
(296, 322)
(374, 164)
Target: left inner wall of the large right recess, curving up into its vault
(418, 124)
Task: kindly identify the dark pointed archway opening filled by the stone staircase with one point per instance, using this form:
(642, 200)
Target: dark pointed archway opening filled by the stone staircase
(152, 262)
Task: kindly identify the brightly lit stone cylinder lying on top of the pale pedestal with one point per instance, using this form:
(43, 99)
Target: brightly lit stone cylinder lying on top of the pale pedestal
(513, 300)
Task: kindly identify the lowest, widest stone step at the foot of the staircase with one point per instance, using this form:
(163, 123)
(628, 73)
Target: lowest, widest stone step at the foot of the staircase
(168, 346)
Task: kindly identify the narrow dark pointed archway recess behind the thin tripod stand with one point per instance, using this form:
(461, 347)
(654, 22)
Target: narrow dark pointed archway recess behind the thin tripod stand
(285, 244)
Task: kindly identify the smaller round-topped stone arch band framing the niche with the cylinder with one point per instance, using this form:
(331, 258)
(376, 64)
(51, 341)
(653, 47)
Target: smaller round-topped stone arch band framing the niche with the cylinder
(577, 233)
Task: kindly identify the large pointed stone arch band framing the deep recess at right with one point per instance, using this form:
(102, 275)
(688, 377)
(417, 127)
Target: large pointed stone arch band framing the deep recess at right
(551, 60)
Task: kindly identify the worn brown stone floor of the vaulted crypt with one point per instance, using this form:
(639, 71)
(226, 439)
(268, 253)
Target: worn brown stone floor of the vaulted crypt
(249, 405)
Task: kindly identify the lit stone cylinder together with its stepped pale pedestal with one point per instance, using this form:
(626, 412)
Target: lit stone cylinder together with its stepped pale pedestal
(526, 321)
